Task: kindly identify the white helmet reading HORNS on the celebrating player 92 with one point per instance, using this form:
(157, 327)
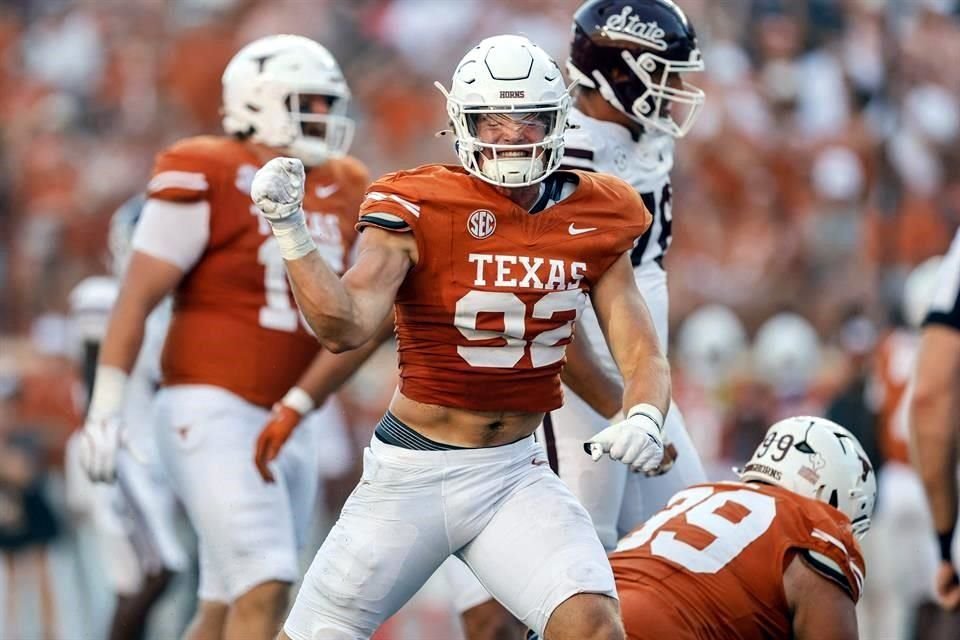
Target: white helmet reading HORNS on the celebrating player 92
(508, 75)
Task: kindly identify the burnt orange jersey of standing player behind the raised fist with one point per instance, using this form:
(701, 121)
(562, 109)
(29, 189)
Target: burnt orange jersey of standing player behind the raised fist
(235, 323)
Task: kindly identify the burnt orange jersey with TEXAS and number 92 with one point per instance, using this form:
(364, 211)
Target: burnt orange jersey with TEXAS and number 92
(484, 317)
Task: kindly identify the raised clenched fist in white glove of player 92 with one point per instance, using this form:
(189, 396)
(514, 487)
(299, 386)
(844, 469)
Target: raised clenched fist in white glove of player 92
(277, 190)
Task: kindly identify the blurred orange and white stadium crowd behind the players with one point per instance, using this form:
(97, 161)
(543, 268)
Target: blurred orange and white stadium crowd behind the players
(822, 169)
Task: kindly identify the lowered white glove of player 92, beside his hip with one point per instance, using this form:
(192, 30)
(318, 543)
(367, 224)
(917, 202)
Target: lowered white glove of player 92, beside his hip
(636, 441)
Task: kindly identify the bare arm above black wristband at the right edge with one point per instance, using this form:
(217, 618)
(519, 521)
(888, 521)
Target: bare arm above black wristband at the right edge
(933, 421)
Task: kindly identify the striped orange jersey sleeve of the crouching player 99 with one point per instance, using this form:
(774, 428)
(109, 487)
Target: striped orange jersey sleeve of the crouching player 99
(830, 549)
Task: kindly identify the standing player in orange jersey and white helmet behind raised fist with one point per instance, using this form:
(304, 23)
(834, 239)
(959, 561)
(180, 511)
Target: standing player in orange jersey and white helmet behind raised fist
(237, 344)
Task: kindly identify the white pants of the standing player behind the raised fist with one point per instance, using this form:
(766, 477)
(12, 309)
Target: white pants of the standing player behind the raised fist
(248, 531)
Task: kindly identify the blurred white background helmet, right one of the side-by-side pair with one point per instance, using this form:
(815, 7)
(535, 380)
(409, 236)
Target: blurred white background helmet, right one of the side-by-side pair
(786, 352)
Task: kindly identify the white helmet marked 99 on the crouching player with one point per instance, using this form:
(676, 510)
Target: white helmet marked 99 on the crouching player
(818, 459)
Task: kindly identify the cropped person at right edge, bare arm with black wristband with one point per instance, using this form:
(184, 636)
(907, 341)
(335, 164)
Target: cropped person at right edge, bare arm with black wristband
(933, 418)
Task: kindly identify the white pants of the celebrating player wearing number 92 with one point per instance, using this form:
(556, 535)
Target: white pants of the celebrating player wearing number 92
(500, 510)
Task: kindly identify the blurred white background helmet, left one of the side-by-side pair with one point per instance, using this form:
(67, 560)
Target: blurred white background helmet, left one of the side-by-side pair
(710, 342)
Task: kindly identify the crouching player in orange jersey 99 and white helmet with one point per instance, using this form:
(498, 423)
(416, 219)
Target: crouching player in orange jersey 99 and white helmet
(773, 556)
